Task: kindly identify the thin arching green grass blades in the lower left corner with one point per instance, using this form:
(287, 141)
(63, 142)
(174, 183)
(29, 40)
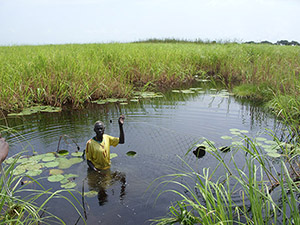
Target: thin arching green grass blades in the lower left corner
(25, 205)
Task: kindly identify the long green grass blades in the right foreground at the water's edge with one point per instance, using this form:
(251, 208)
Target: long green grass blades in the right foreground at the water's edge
(264, 191)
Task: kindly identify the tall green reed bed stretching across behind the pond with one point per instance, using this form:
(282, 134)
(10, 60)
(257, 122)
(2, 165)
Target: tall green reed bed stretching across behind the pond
(74, 73)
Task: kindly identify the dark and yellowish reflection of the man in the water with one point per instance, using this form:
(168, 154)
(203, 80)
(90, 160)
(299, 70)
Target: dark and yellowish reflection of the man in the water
(102, 180)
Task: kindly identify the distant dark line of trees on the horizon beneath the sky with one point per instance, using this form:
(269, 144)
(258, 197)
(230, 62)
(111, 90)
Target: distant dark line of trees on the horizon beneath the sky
(200, 41)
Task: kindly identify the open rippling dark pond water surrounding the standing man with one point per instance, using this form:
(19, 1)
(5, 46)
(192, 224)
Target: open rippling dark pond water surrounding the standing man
(159, 130)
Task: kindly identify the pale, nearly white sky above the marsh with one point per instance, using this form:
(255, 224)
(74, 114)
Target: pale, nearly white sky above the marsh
(38, 22)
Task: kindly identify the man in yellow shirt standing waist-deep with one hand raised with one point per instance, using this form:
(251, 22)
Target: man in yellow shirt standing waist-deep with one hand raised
(98, 148)
